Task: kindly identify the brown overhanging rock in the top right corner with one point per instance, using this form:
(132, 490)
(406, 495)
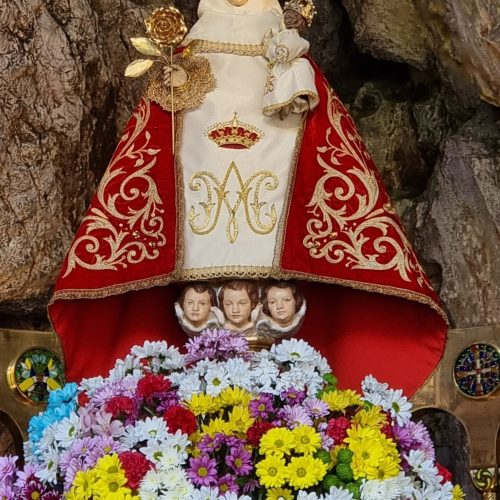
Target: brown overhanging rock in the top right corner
(462, 37)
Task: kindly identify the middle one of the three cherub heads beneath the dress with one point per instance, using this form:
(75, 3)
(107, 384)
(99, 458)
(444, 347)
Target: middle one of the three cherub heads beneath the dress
(237, 299)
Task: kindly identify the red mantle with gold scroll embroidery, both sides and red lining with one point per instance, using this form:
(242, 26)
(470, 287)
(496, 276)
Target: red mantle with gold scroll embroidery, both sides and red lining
(371, 308)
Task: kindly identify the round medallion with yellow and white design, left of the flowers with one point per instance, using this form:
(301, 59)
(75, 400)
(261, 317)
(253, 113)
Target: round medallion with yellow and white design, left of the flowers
(37, 372)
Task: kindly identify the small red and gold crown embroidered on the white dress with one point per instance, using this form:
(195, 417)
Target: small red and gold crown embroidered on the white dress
(234, 134)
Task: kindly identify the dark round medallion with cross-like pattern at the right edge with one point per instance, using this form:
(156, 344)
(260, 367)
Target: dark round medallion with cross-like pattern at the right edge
(476, 370)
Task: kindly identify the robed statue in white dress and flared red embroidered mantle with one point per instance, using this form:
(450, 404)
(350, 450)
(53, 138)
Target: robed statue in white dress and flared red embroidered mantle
(268, 178)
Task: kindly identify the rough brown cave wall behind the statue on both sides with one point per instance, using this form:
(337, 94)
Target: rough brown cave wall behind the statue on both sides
(421, 78)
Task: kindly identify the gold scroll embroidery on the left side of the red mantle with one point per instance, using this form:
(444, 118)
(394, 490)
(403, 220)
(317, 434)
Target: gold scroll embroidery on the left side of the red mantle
(124, 225)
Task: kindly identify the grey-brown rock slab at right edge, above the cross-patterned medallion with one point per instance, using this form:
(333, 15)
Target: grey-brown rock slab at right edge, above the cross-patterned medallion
(457, 222)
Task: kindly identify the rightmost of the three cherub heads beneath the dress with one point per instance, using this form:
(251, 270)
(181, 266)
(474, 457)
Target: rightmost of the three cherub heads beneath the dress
(281, 300)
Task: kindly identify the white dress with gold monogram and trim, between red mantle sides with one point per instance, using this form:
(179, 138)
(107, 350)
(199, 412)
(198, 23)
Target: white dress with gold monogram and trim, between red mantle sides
(235, 199)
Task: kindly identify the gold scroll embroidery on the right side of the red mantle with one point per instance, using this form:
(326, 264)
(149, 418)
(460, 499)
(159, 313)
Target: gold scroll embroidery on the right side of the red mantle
(347, 225)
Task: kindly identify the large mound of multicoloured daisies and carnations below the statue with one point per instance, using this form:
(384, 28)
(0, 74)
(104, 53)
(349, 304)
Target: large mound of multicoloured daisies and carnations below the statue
(220, 422)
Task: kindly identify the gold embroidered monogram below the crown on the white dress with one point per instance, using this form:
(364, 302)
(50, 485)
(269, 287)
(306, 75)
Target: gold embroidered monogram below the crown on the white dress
(218, 196)
